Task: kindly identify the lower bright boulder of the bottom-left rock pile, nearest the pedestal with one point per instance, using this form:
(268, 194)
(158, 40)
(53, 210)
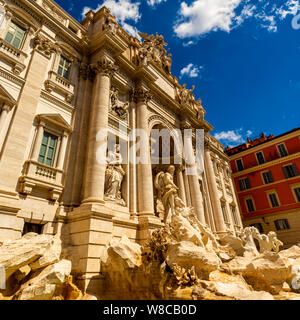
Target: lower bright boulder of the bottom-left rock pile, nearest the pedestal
(43, 285)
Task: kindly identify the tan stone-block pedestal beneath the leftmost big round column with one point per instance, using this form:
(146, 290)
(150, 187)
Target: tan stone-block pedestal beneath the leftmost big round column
(90, 228)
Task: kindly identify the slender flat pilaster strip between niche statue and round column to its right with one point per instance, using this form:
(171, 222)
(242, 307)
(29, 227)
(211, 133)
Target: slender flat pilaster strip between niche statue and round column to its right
(132, 157)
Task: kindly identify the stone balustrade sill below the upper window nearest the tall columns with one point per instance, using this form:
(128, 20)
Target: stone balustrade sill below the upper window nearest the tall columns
(60, 84)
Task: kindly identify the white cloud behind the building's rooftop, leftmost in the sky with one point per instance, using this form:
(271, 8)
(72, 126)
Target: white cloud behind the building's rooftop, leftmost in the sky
(124, 10)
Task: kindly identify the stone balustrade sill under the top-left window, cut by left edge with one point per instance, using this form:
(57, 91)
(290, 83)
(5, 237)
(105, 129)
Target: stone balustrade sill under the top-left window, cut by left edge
(13, 56)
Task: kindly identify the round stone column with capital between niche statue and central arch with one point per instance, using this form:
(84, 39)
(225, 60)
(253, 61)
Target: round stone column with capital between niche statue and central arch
(144, 170)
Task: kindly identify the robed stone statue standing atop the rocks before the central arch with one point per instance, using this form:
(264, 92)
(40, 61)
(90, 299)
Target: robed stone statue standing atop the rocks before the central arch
(168, 193)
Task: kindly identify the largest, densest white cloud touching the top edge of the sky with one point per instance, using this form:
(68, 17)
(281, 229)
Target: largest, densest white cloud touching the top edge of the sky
(203, 16)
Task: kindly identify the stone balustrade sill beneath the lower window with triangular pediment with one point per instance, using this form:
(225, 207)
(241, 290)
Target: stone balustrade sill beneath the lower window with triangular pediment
(37, 175)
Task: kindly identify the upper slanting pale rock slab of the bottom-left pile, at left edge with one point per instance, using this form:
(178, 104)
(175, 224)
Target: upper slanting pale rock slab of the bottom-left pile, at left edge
(15, 254)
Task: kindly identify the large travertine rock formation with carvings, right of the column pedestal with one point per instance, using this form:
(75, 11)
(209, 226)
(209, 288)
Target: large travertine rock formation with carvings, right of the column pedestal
(184, 260)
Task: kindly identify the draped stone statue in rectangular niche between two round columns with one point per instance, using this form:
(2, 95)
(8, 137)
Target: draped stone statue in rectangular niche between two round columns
(114, 176)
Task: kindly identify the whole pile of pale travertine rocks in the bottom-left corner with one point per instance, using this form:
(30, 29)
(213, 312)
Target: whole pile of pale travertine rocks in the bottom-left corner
(34, 270)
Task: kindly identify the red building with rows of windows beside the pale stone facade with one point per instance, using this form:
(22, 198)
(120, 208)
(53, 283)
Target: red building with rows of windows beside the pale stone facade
(267, 181)
